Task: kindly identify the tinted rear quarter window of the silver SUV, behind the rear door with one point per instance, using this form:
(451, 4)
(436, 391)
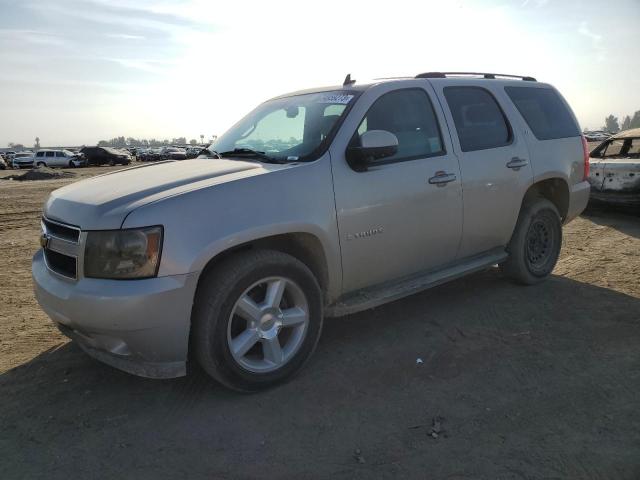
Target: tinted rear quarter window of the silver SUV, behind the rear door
(544, 111)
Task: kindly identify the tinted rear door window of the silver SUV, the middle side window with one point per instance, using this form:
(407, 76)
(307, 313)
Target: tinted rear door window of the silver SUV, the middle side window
(479, 120)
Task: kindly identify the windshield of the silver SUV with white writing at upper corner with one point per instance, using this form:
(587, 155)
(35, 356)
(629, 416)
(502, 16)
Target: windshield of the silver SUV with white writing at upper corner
(292, 128)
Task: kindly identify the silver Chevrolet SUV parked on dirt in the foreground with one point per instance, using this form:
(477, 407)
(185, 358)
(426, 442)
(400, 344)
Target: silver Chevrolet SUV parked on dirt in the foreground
(317, 203)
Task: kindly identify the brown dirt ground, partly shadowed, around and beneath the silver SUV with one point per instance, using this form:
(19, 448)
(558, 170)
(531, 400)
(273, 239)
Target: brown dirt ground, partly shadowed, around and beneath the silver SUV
(515, 382)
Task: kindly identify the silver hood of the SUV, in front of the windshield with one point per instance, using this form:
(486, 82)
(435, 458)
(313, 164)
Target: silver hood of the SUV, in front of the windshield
(104, 201)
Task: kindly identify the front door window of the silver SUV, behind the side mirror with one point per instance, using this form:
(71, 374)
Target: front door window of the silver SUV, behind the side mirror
(409, 115)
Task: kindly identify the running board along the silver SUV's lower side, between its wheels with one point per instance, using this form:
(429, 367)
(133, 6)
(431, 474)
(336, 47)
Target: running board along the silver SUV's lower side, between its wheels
(390, 291)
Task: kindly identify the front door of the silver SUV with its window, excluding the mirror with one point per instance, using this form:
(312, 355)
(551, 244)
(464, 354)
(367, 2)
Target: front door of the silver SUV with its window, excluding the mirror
(404, 213)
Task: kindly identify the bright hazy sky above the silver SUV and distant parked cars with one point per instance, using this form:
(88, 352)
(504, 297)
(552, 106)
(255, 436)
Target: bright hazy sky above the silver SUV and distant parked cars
(77, 71)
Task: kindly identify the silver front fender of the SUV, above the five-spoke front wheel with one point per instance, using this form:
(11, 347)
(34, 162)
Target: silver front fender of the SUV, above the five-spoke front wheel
(203, 223)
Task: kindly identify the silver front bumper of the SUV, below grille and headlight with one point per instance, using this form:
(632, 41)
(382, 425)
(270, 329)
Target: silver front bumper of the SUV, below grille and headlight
(139, 326)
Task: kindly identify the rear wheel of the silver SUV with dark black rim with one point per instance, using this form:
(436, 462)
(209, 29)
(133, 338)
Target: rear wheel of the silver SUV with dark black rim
(535, 245)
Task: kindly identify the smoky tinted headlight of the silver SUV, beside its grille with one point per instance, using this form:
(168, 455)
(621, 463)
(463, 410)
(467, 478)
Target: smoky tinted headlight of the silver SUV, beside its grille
(125, 254)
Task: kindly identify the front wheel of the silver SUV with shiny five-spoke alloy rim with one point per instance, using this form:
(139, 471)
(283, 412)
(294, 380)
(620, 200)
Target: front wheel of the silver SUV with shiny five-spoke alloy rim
(217, 325)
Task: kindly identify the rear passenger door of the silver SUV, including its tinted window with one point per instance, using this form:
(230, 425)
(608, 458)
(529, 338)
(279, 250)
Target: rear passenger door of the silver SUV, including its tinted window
(494, 162)
